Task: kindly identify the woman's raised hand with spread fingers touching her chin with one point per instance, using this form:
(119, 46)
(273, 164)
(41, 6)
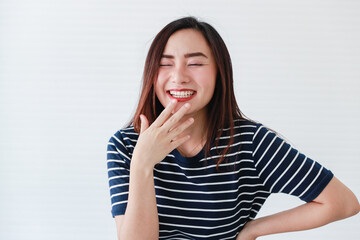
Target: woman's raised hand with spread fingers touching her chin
(163, 136)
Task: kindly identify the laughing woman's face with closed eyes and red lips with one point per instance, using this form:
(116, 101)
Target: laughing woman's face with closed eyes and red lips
(187, 72)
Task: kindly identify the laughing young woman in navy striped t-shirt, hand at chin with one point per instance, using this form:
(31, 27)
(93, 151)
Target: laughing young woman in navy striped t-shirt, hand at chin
(191, 166)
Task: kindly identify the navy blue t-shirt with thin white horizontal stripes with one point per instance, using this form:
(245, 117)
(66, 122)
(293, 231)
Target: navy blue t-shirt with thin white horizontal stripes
(195, 201)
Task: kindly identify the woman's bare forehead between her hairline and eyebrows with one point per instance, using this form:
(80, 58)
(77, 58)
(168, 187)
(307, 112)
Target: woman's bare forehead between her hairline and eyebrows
(185, 41)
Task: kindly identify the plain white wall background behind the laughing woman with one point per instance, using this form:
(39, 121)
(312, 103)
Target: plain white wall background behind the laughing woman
(70, 73)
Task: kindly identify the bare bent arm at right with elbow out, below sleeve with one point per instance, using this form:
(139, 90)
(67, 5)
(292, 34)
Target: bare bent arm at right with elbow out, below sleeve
(335, 202)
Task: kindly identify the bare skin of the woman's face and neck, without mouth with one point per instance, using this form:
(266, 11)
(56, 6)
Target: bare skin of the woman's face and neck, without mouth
(188, 63)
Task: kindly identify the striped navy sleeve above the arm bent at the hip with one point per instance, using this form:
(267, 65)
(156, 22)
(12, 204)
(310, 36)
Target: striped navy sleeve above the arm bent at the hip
(283, 169)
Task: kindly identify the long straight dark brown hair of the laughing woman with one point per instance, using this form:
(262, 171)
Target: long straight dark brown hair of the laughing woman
(222, 108)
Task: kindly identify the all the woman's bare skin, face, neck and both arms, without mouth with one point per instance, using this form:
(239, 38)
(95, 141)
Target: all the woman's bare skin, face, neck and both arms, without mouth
(182, 125)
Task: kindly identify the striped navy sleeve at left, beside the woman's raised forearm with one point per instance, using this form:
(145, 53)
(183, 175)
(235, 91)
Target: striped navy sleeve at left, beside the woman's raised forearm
(118, 166)
